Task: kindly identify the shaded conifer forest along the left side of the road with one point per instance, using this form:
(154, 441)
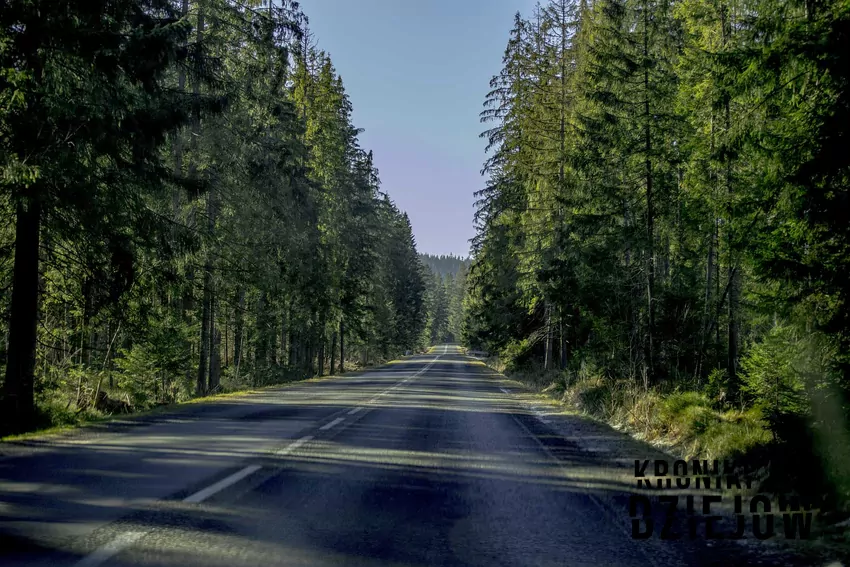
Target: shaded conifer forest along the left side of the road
(188, 210)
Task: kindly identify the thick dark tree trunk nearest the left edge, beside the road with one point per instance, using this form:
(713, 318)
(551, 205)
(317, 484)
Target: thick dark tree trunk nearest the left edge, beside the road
(18, 395)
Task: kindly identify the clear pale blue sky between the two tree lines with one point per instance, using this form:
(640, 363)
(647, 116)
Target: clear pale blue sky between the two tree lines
(416, 72)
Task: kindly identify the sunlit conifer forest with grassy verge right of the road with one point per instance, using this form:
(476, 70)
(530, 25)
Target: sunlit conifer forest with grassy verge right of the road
(663, 236)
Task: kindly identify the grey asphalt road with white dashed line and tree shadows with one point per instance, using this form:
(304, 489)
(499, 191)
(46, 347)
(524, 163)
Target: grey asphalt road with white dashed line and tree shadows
(426, 461)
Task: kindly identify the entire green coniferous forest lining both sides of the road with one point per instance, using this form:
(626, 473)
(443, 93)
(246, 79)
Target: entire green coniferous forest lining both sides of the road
(662, 239)
